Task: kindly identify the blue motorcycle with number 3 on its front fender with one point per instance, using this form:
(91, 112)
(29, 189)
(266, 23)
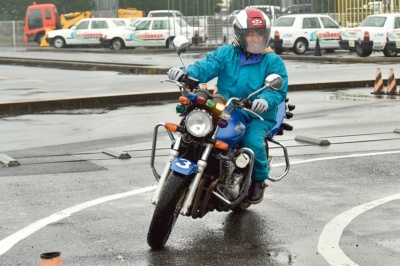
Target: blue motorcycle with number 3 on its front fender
(207, 169)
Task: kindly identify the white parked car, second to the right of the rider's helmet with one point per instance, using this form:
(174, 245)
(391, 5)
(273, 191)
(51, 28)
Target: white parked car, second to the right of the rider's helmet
(371, 35)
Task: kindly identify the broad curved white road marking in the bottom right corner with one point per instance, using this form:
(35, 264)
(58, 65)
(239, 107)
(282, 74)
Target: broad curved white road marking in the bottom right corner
(328, 243)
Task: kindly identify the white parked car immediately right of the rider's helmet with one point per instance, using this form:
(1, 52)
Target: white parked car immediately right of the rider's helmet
(299, 33)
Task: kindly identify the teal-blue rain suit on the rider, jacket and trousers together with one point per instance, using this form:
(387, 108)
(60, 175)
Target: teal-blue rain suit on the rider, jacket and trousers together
(239, 76)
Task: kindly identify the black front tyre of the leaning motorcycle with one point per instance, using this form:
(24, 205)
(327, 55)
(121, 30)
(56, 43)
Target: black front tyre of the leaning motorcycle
(167, 210)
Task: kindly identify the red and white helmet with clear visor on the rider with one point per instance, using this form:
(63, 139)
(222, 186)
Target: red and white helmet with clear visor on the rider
(250, 20)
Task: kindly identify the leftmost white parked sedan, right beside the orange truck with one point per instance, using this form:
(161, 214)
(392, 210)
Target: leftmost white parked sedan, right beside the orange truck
(85, 32)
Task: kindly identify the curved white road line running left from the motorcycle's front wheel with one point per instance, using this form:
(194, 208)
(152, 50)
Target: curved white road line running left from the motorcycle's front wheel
(13, 239)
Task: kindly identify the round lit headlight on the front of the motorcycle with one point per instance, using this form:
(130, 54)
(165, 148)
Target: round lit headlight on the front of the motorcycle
(199, 123)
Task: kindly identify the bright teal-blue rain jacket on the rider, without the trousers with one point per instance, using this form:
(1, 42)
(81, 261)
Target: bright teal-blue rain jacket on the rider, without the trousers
(239, 77)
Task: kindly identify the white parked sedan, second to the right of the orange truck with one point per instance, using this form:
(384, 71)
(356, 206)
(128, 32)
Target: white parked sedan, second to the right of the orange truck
(153, 32)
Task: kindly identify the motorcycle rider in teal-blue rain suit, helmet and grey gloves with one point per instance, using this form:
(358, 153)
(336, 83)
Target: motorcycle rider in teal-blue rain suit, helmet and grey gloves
(241, 68)
